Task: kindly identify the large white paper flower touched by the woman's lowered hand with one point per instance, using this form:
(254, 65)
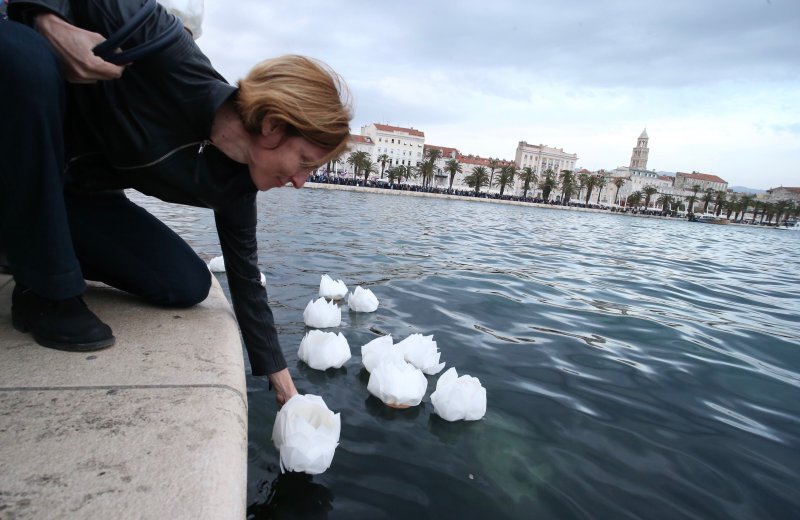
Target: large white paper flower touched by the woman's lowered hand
(306, 433)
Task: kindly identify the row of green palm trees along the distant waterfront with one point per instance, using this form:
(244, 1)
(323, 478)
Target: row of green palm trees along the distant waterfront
(568, 184)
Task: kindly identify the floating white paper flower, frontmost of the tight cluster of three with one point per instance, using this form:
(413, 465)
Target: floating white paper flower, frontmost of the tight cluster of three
(397, 383)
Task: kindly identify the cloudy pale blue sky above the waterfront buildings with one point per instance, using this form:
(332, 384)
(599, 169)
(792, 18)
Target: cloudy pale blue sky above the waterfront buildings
(716, 83)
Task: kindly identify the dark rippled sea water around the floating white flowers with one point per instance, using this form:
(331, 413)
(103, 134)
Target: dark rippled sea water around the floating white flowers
(634, 368)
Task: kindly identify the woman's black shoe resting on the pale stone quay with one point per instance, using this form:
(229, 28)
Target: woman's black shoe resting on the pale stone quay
(59, 324)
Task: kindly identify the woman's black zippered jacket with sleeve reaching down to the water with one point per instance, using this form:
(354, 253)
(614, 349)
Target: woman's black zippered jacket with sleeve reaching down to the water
(150, 130)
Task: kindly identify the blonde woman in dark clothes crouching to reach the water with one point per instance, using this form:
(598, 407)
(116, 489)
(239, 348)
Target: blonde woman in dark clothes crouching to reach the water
(167, 125)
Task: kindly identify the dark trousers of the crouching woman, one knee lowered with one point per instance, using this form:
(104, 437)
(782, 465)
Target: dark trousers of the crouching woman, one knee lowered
(52, 239)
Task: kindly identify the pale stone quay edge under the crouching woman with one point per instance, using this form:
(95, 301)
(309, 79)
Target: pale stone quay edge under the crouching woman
(154, 427)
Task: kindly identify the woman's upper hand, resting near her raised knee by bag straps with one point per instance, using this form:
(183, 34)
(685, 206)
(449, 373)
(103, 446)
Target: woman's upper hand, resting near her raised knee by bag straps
(74, 46)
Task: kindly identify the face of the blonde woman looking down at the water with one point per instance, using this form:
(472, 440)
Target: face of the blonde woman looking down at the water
(291, 161)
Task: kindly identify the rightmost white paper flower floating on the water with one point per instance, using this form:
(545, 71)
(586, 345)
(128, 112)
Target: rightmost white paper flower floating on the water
(459, 398)
